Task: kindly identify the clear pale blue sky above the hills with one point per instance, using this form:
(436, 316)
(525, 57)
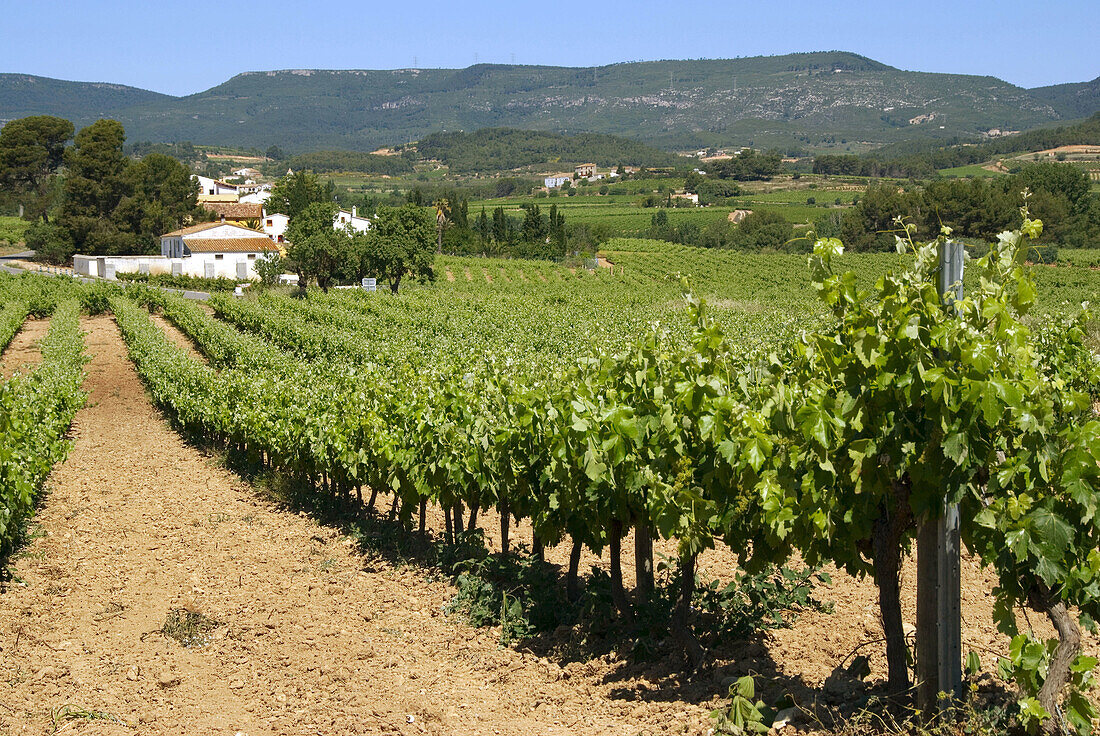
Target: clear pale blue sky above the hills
(183, 48)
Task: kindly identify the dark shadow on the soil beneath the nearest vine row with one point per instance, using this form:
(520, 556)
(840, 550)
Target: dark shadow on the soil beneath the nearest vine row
(526, 598)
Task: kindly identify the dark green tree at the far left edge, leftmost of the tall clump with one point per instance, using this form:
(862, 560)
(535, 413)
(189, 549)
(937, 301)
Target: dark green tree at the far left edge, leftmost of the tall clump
(31, 152)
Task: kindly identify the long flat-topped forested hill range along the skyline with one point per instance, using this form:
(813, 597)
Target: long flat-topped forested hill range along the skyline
(794, 101)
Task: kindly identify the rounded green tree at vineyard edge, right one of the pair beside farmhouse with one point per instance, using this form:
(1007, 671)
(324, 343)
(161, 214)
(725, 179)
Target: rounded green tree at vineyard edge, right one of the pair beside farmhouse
(401, 244)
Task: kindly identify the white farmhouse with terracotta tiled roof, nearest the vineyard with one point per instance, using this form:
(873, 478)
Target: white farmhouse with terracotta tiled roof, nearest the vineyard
(215, 250)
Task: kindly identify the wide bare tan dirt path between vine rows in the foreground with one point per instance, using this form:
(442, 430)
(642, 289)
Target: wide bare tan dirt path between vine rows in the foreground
(313, 639)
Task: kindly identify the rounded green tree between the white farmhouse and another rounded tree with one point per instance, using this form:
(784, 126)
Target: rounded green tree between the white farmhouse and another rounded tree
(318, 250)
